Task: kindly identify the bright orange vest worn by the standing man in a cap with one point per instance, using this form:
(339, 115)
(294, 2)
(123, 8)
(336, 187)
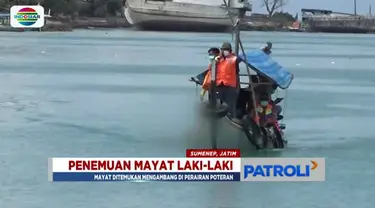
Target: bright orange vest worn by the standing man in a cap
(227, 71)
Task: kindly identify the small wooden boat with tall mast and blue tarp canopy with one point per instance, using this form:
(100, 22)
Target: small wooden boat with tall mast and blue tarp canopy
(265, 71)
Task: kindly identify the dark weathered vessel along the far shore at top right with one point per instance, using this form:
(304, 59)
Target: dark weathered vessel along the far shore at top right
(316, 20)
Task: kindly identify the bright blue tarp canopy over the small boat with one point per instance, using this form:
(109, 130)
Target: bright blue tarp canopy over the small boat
(266, 66)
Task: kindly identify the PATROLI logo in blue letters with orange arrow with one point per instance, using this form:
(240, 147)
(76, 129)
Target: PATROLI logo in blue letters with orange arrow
(284, 169)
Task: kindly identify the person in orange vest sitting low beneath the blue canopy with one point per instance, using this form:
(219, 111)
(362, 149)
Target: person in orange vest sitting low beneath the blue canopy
(265, 111)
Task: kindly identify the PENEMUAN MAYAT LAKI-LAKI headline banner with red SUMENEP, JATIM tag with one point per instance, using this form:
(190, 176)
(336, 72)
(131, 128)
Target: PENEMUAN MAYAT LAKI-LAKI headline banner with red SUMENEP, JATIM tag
(198, 165)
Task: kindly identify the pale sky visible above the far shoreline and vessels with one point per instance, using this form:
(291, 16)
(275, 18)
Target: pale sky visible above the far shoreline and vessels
(295, 6)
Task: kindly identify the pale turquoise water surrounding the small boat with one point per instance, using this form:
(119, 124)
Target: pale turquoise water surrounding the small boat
(125, 93)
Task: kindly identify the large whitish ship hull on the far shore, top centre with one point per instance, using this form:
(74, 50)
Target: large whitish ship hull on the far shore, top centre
(177, 17)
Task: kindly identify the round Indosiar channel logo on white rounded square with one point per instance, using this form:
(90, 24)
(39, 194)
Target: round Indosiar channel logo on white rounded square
(27, 16)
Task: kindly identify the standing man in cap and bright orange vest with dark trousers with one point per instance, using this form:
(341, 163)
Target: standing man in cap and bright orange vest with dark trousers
(226, 78)
